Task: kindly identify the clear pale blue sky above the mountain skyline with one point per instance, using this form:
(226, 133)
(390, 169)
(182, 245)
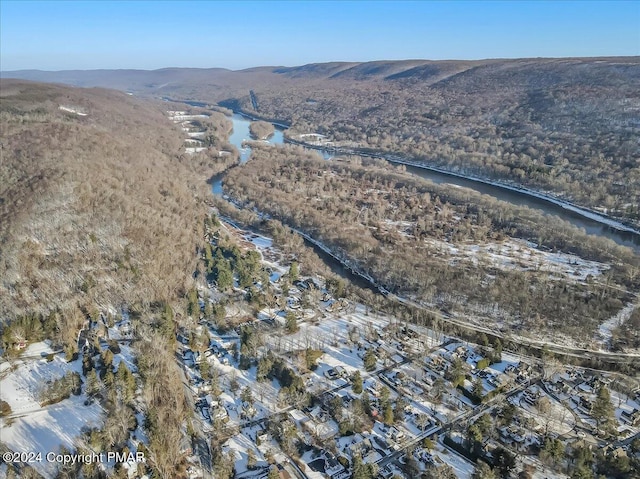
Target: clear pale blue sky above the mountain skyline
(53, 35)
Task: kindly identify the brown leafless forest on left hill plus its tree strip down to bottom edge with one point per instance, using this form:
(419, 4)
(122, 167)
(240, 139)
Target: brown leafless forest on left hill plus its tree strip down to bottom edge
(100, 212)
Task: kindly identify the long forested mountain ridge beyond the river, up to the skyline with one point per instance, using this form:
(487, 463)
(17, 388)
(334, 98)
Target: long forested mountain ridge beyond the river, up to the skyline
(565, 126)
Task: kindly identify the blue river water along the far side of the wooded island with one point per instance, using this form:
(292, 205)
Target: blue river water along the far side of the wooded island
(589, 225)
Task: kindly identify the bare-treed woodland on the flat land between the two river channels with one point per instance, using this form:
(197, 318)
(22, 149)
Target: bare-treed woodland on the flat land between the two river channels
(414, 238)
